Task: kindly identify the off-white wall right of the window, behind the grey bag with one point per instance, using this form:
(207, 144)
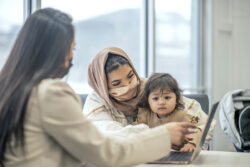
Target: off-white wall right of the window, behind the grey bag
(227, 53)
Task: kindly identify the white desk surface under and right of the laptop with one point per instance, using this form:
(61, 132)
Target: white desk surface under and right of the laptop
(213, 159)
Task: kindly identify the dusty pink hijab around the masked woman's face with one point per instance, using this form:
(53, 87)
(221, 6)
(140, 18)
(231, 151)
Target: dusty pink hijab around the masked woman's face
(98, 81)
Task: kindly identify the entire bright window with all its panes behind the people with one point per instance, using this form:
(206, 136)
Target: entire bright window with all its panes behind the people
(126, 24)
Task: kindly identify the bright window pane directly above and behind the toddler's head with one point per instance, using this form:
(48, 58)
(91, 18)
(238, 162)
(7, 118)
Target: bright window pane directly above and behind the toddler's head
(177, 41)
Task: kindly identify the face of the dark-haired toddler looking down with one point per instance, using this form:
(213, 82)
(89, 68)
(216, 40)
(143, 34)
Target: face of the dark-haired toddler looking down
(162, 102)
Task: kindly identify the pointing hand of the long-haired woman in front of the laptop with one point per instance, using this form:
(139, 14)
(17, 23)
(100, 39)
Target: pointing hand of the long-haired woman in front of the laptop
(178, 132)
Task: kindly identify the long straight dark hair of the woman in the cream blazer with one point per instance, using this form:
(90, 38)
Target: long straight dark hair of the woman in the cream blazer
(39, 52)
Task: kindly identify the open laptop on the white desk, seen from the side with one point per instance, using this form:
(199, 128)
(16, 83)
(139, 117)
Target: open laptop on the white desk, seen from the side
(177, 157)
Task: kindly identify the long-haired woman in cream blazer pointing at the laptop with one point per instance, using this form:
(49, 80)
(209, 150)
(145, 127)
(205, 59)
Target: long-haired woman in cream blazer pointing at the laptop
(41, 122)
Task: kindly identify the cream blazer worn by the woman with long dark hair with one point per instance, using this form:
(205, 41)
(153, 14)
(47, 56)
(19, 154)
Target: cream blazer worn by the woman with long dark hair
(57, 134)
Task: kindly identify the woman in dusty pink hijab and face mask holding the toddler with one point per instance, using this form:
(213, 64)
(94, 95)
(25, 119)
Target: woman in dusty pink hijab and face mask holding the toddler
(112, 106)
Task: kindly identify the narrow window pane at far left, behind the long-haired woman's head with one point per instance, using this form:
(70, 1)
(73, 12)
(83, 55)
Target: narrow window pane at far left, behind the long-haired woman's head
(11, 18)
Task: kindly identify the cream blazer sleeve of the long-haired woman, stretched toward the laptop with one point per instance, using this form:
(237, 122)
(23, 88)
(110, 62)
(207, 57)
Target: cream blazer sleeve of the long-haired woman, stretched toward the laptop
(62, 120)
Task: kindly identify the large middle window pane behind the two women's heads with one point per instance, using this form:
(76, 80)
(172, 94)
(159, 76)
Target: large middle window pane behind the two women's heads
(99, 24)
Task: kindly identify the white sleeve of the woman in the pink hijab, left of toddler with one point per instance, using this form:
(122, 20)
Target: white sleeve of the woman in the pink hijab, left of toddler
(107, 121)
